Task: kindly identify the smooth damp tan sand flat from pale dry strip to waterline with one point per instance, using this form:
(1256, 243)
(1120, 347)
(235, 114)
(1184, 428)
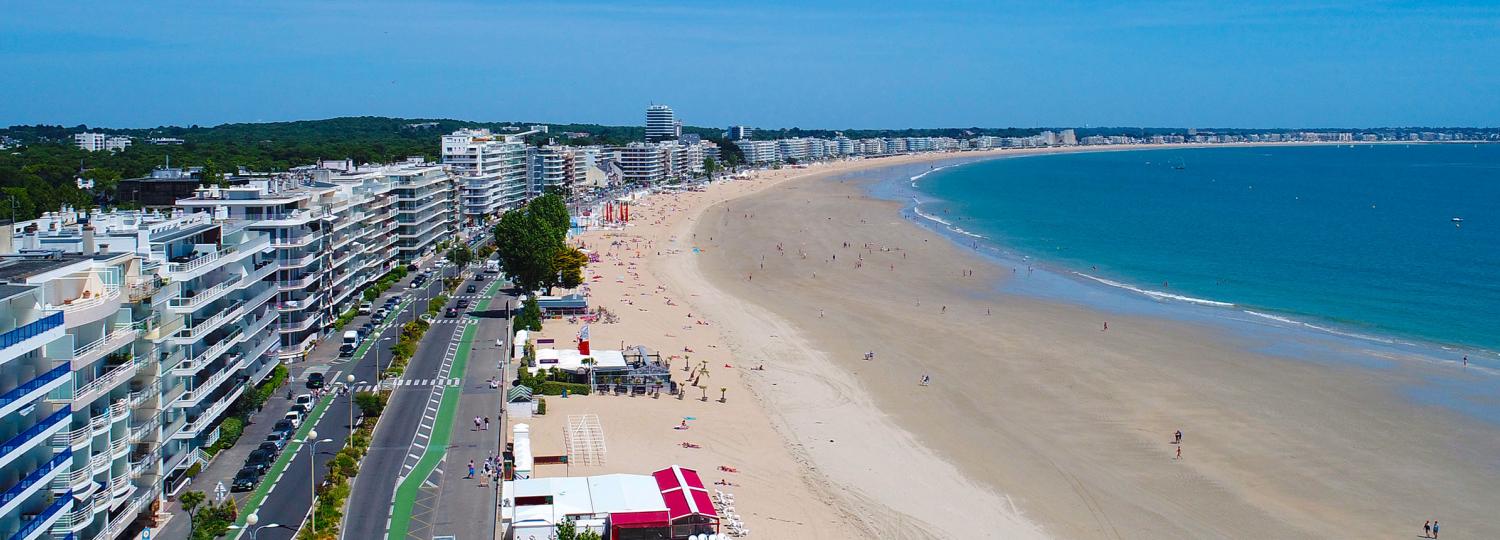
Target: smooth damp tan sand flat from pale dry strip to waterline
(1061, 421)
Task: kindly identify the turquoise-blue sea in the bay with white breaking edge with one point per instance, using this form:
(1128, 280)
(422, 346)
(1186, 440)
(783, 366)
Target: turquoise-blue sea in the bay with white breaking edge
(1357, 241)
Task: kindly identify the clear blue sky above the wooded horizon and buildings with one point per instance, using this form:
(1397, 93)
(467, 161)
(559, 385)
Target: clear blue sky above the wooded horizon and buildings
(769, 64)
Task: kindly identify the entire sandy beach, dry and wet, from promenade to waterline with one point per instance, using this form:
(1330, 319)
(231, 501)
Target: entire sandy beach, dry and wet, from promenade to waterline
(1037, 422)
